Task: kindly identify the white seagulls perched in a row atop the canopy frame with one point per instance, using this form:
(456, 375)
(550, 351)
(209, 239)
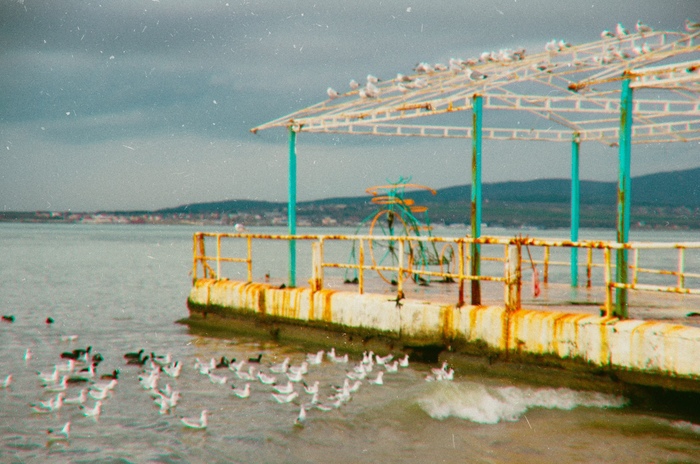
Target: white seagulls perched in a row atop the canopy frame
(405, 84)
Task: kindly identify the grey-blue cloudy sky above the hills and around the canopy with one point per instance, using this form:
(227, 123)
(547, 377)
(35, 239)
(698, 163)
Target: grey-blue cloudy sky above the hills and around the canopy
(148, 104)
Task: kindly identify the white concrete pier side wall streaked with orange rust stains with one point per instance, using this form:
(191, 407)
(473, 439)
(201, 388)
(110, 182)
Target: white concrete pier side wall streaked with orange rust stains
(641, 346)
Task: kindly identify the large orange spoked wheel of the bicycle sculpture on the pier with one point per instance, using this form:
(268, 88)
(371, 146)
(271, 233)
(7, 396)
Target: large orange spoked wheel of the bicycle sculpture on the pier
(386, 252)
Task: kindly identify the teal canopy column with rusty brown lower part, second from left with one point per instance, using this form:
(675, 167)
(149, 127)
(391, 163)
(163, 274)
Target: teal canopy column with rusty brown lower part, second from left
(476, 197)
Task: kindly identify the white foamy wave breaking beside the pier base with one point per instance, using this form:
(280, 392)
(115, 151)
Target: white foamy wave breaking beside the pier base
(490, 405)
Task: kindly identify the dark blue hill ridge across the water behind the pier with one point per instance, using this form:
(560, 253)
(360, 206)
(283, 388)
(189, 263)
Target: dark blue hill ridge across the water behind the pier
(672, 189)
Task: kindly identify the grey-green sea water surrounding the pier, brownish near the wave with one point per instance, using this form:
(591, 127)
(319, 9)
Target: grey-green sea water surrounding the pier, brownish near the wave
(122, 288)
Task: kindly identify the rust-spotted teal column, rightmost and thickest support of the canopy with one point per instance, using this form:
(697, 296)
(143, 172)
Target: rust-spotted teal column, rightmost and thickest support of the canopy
(623, 198)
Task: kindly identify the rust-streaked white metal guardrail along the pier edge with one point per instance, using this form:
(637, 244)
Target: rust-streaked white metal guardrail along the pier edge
(511, 256)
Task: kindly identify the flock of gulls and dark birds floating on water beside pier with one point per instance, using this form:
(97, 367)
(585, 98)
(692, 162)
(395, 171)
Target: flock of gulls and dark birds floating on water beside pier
(74, 382)
